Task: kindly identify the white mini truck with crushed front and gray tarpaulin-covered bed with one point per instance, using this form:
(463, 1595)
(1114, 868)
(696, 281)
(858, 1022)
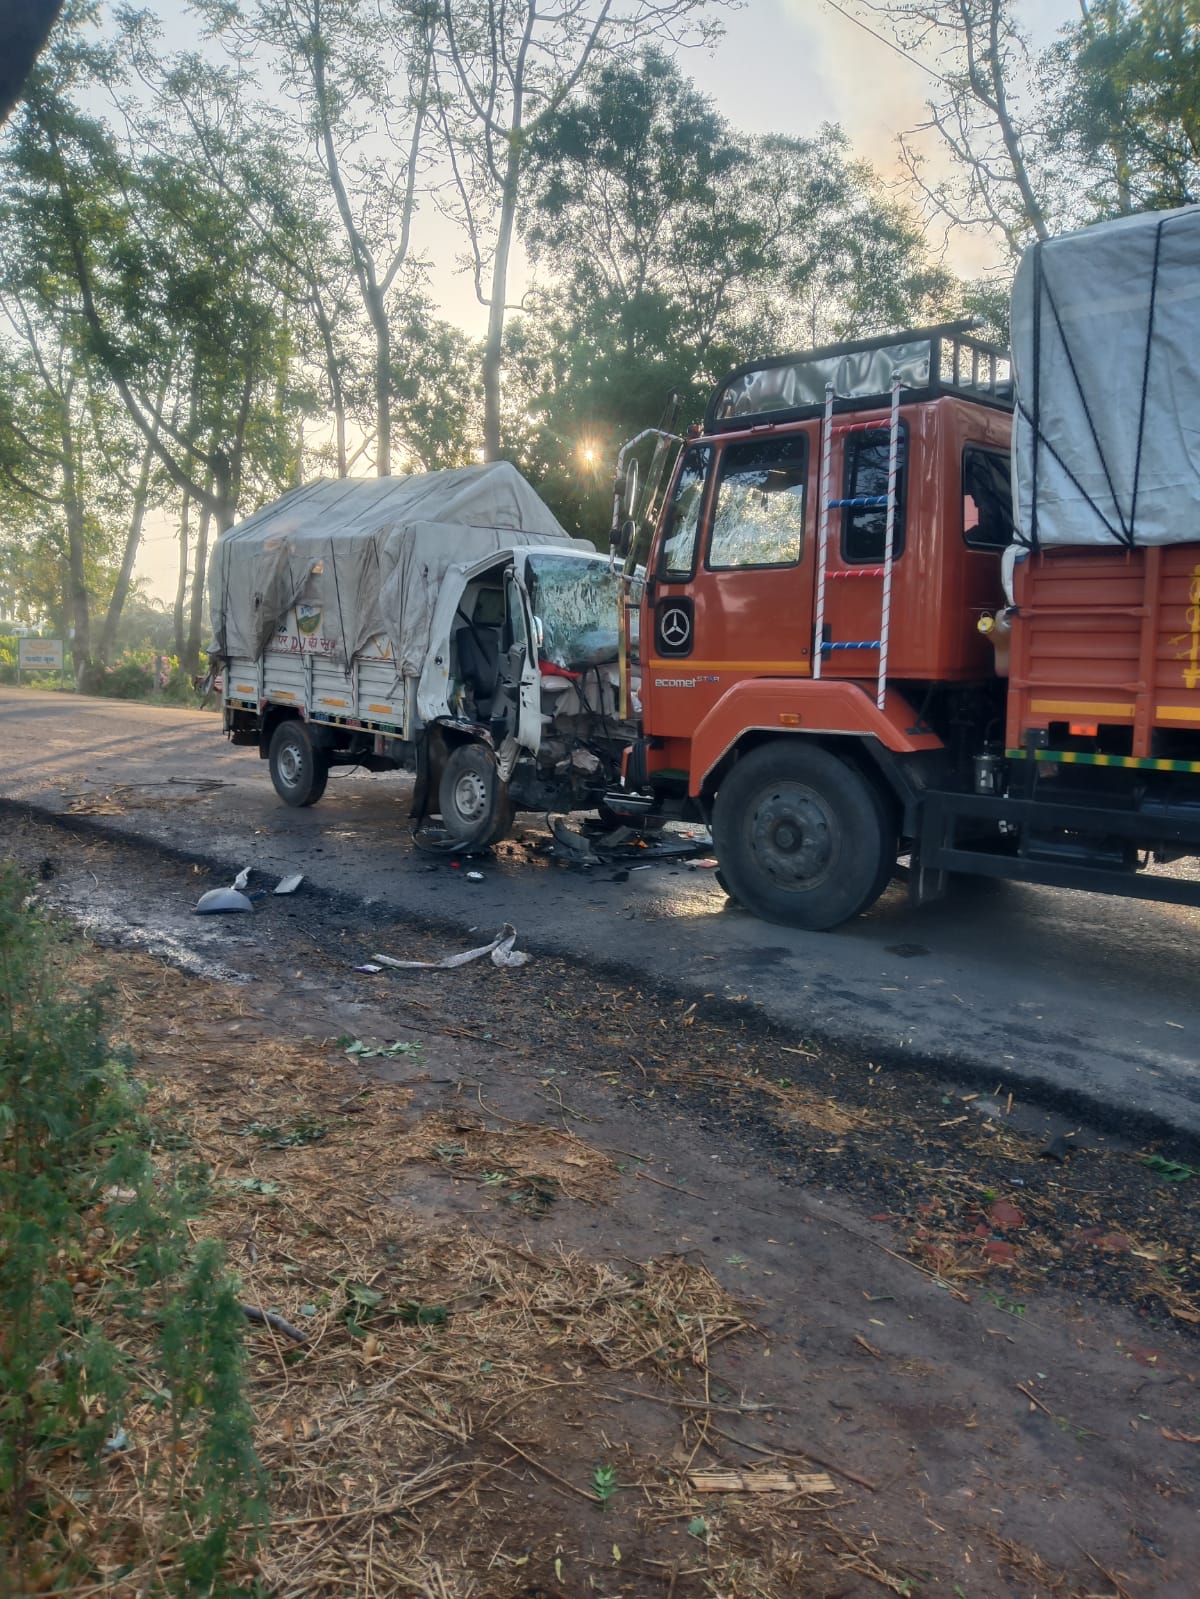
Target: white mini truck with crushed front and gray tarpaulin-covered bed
(442, 624)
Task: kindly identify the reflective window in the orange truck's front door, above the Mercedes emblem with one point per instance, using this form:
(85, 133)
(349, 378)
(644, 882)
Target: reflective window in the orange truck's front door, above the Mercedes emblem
(761, 504)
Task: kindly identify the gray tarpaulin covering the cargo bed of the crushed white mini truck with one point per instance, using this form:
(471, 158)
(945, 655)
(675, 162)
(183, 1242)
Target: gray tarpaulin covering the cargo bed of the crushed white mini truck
(367, 556)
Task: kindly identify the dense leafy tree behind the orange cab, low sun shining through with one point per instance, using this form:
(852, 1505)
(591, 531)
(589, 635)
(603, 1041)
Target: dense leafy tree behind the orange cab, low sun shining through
(682, 247)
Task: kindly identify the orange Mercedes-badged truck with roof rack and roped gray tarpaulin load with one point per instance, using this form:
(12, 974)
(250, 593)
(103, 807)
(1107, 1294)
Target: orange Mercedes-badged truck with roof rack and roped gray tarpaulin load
(913, 600)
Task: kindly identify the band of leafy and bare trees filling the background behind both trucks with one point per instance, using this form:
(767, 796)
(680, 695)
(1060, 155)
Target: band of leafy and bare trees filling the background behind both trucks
(217, 265)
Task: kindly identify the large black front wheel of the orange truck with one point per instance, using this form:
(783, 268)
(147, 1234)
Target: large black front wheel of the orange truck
(802, 839)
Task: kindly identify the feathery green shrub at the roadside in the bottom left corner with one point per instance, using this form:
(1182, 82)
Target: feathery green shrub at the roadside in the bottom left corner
(79, 1339)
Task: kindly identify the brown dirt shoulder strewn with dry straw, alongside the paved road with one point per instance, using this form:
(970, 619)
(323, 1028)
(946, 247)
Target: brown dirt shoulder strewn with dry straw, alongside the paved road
(564, 1245)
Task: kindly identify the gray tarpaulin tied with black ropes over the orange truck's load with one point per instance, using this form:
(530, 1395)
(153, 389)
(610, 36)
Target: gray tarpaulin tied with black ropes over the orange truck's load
(1106, 349)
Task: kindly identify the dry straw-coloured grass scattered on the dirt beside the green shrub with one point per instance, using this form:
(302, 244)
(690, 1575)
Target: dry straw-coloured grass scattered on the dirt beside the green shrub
(439, 1429)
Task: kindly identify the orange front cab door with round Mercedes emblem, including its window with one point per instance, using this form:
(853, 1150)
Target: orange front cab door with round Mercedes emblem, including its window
(734, 592)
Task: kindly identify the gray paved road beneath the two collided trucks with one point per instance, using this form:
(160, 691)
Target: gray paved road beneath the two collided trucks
(1086, 999)
